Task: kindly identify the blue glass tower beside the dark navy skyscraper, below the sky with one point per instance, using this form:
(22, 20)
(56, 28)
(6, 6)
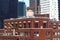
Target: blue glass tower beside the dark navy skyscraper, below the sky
(21, 9)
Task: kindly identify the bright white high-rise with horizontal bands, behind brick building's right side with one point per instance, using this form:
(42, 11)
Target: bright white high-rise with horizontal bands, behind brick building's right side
(50, 7)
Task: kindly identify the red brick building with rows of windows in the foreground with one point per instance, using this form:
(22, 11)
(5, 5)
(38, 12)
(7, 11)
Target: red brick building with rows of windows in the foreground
(31, 28)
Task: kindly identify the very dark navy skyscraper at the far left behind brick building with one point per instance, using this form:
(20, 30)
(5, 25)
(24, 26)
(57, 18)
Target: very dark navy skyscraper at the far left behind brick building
(8, 9)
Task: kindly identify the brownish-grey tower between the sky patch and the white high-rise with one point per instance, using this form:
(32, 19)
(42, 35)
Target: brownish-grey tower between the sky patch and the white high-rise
(35, 5)
